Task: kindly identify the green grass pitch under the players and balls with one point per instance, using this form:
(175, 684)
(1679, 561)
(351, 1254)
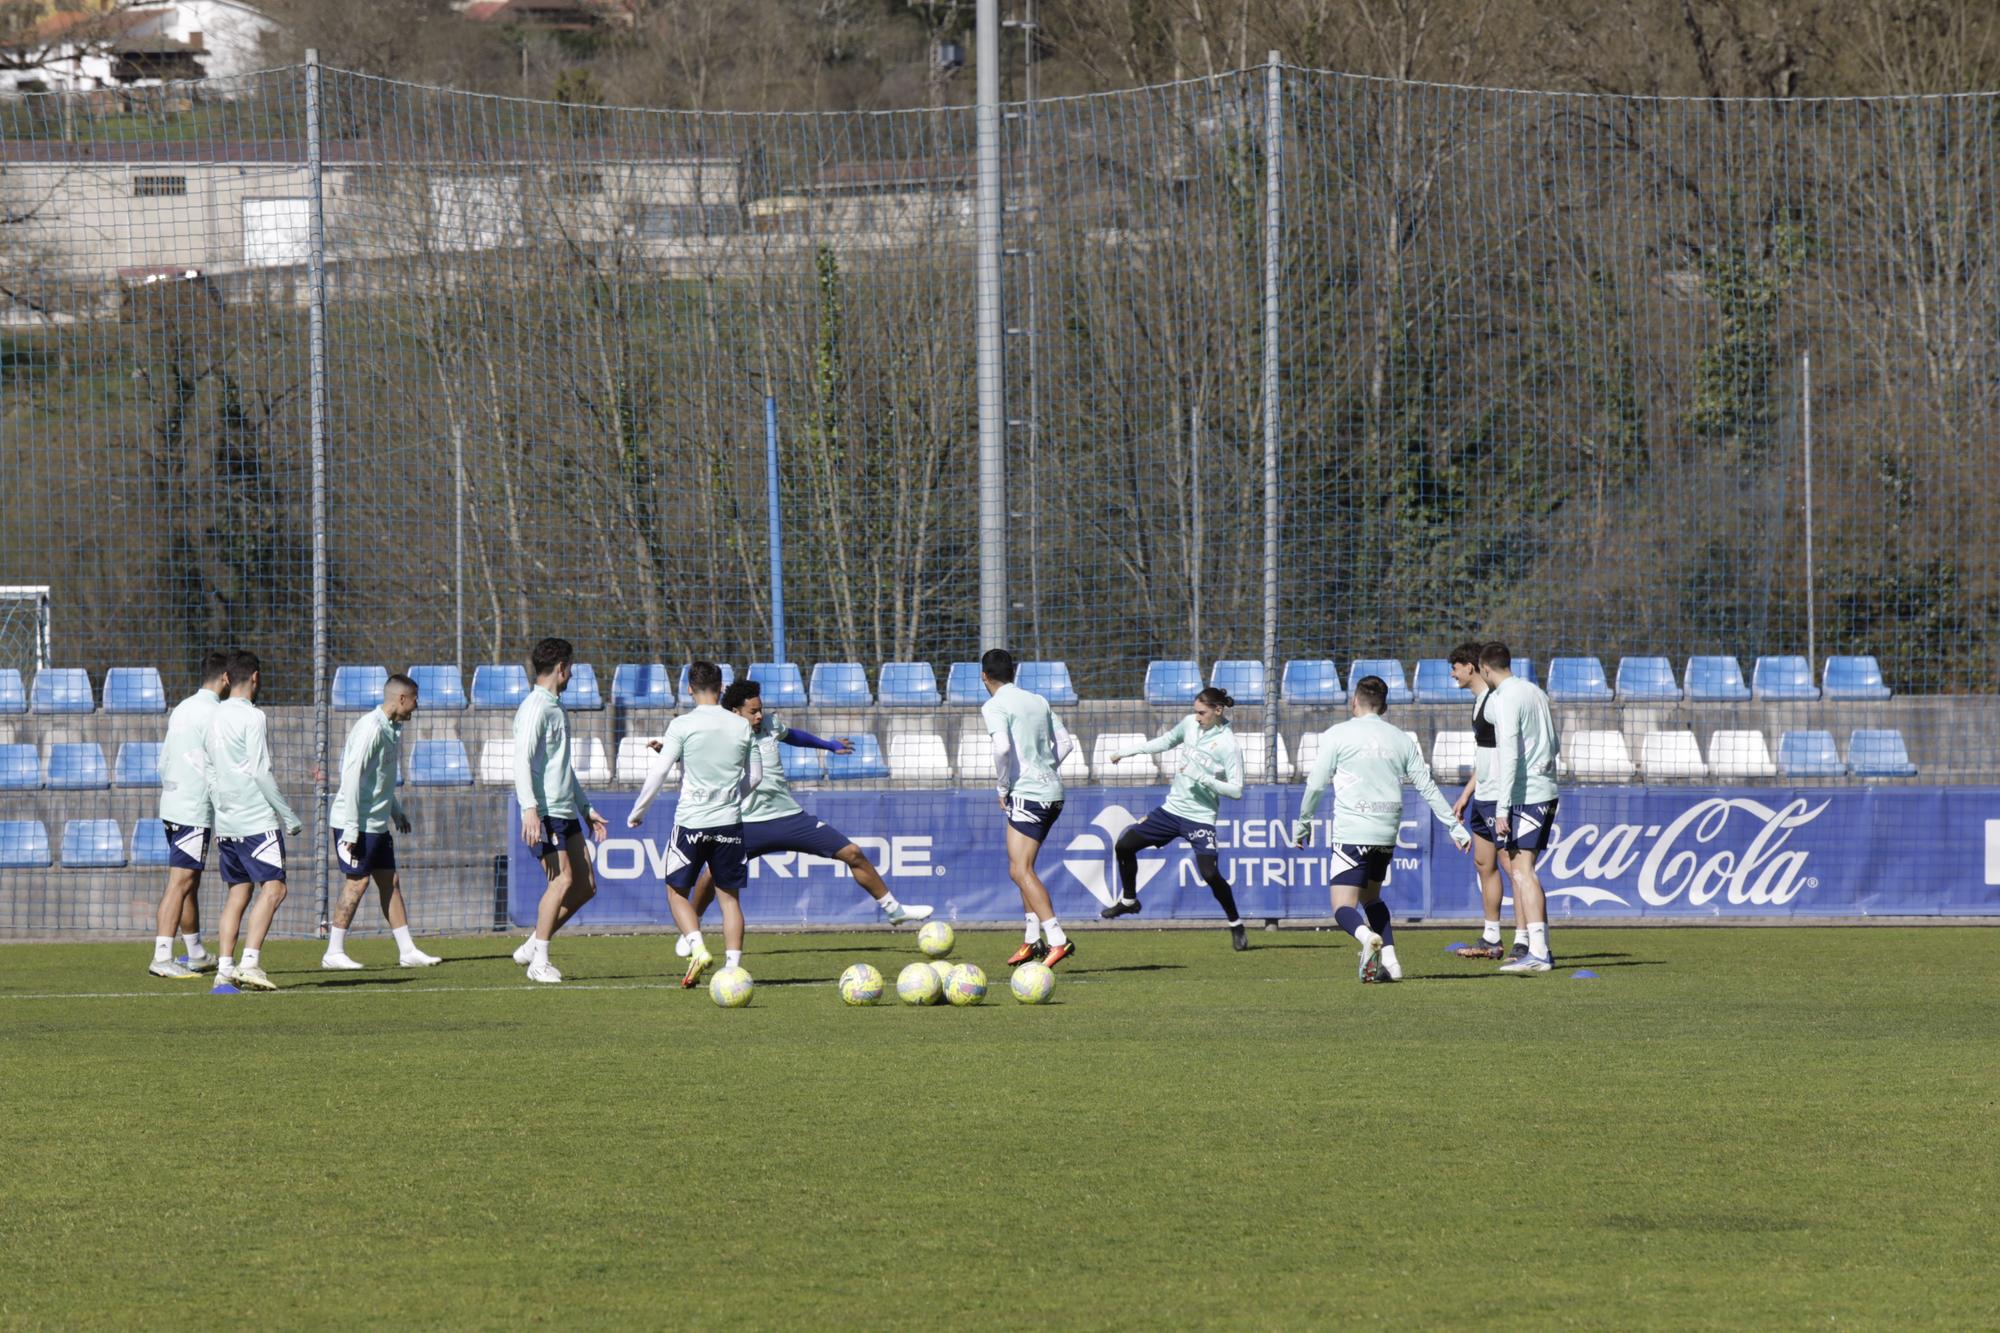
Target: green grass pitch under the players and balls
(1765, 1128)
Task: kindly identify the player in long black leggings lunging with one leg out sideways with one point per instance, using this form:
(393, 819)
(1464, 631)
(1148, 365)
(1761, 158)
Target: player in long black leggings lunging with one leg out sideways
(1211, 770)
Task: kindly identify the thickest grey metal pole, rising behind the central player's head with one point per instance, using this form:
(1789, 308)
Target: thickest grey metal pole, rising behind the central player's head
(989, 333)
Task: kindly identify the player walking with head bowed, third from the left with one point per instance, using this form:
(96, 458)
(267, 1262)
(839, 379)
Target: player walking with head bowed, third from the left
(365, 812)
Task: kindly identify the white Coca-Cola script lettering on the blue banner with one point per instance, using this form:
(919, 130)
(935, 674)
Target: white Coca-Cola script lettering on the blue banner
(1709, 852)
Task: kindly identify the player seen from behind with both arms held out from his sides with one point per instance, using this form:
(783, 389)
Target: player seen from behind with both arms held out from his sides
(1367, 762)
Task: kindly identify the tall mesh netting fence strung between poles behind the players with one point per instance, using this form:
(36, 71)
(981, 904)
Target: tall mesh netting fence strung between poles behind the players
(1609, 379)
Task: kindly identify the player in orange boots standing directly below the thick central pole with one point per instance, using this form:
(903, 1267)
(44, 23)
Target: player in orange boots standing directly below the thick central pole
(1029, 750)
